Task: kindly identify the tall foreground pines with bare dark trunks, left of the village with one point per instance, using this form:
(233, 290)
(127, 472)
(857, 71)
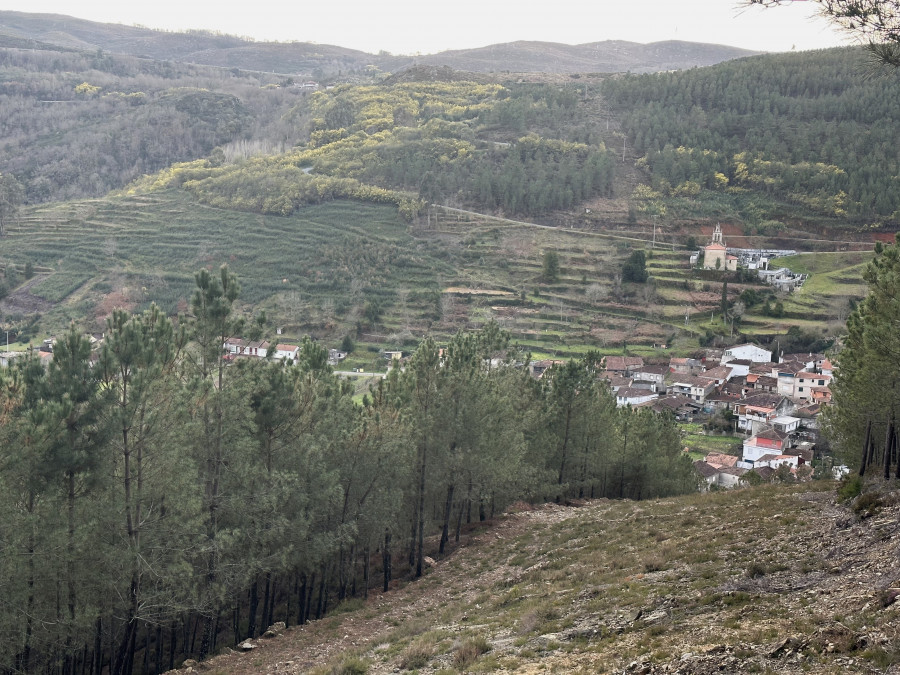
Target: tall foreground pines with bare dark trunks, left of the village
(161, 502)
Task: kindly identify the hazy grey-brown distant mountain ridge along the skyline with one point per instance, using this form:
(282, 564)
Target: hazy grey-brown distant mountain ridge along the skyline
(305, 58)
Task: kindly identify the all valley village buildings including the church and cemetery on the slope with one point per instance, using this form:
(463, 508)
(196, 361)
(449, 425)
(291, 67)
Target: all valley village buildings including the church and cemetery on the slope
(767, 403)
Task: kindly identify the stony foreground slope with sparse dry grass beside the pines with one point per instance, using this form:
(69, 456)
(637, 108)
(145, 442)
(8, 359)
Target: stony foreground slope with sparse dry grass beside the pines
(686, 585)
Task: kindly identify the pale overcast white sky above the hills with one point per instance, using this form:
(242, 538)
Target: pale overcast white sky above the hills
(429, 26)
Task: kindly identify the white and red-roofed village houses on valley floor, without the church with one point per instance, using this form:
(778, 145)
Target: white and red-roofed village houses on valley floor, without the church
(771, 402)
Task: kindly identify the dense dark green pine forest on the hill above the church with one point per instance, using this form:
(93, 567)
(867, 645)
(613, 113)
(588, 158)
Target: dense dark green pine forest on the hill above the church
(813, 129)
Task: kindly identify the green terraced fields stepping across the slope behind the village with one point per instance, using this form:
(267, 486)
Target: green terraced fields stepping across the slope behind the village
(347, 268)
